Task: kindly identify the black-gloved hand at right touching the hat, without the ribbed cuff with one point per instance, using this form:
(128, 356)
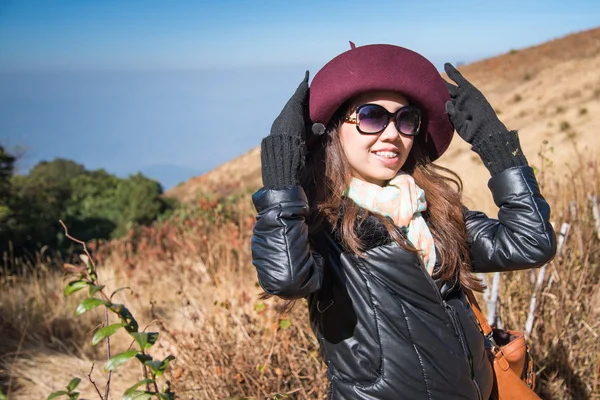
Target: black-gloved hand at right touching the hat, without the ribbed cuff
(469, 111)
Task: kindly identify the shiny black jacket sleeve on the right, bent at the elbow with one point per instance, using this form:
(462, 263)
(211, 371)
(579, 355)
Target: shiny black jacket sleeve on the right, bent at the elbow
(522, 236)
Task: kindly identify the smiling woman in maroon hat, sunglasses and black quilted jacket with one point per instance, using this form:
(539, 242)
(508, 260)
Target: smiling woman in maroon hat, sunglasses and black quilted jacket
(355, 217)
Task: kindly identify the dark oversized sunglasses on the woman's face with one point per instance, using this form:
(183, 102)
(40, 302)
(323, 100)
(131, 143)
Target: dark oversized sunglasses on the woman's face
(371, 119)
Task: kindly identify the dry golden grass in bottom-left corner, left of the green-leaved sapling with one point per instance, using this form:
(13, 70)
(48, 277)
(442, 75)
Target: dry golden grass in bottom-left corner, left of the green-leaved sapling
(42, 343)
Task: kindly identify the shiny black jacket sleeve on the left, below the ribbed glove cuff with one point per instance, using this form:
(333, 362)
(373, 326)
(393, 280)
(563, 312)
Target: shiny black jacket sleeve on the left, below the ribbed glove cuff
(281, 252)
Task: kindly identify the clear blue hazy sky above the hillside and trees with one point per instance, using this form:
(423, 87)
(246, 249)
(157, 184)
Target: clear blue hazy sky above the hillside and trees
(175, 88)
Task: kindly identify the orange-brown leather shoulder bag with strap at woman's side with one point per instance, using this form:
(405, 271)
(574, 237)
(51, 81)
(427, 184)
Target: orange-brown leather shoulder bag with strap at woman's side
(513, 366)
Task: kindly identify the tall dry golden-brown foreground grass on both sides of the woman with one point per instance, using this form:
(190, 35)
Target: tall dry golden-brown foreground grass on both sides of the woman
(193, 281)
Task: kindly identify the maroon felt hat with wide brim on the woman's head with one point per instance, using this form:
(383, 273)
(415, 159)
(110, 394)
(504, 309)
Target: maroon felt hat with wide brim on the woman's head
(385, 67)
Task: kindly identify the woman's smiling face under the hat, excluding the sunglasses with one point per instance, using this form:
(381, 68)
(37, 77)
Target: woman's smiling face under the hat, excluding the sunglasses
(376, 158)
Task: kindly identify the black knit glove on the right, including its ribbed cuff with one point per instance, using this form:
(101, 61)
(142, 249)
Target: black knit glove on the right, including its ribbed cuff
(476, 122)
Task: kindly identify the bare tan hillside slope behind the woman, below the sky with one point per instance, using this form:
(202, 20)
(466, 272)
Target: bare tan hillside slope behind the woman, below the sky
(549, 92)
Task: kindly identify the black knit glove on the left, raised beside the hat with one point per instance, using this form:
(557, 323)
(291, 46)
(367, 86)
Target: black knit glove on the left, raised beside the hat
(283, 152)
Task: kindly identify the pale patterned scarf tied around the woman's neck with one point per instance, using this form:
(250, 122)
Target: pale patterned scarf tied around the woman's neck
(403, 201)
